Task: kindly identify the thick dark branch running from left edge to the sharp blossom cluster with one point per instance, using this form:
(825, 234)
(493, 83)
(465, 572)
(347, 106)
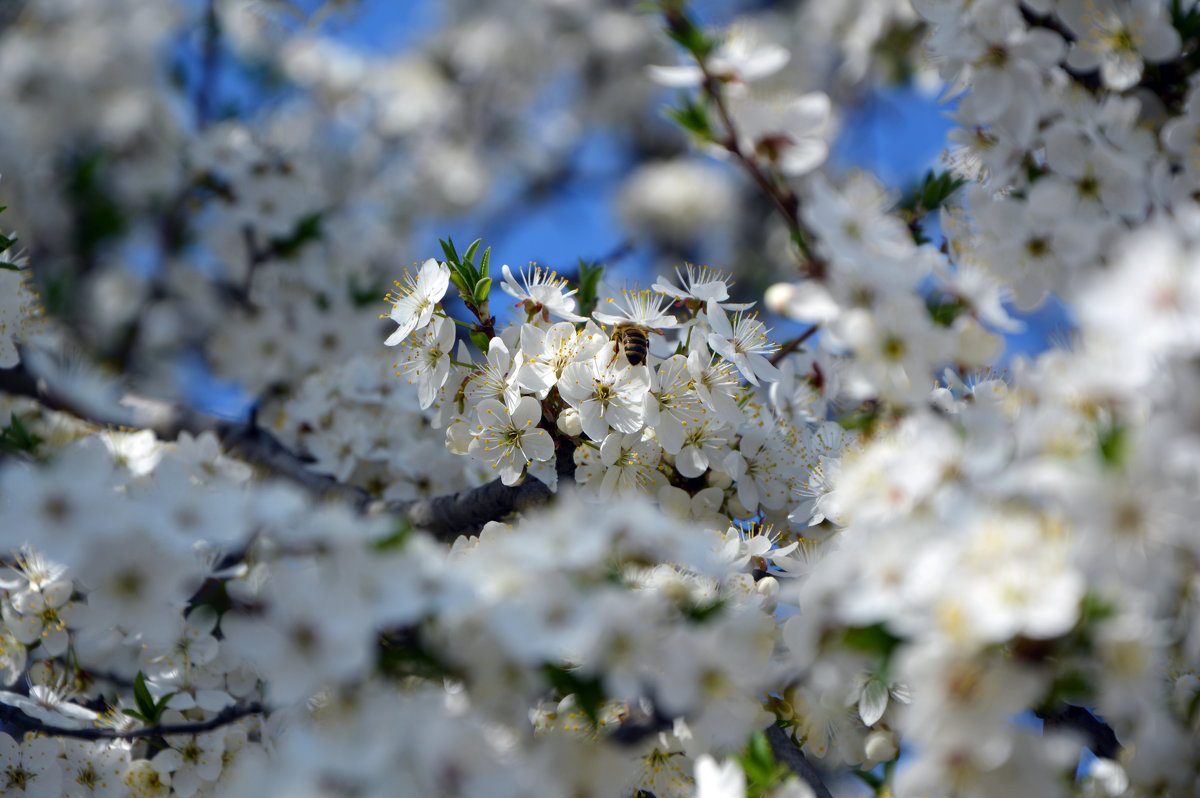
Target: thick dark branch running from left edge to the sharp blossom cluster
(447, 517)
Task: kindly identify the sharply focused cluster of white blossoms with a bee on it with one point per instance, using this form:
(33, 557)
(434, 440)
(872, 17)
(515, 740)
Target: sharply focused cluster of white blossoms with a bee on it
(653, 405)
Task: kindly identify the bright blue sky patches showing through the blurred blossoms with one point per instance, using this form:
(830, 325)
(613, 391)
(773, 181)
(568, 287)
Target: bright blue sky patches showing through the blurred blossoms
(897, 134)
